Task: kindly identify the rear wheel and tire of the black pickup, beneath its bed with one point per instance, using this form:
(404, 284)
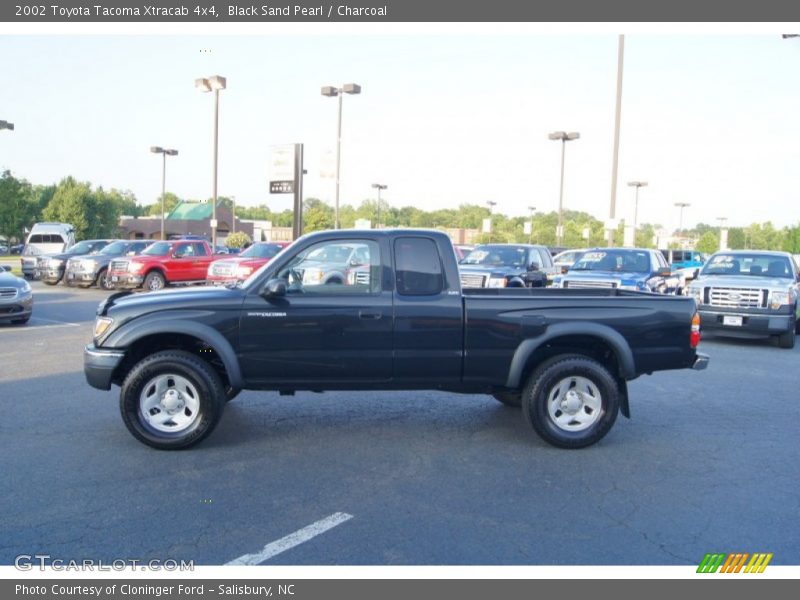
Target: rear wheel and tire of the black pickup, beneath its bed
(587, 424)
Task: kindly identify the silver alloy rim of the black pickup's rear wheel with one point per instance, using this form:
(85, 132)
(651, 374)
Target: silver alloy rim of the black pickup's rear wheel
(574, 404)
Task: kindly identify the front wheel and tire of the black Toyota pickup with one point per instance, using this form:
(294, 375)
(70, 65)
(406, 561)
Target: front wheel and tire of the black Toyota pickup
(206, 392)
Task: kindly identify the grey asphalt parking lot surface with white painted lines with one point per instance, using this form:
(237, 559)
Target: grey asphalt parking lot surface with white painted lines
(709, 463)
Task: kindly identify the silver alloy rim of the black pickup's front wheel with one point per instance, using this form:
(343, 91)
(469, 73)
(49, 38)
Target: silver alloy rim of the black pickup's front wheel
(169, 403)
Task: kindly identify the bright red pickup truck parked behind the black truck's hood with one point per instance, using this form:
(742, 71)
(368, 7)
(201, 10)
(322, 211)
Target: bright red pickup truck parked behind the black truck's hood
(165, 263)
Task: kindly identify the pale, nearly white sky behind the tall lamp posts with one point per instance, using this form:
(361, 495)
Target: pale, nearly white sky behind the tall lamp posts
(712, 119)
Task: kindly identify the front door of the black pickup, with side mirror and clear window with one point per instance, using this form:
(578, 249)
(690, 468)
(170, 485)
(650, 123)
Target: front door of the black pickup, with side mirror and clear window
(325, 329)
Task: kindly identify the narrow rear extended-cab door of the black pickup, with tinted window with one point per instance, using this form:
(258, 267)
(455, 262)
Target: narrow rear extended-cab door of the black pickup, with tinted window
(428, 334)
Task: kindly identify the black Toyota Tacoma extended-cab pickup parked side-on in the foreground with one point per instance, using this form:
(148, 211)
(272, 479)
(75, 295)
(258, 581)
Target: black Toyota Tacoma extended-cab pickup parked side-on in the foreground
(399, 320)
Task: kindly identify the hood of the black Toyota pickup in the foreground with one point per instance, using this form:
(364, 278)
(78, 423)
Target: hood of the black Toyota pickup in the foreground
(197, 297)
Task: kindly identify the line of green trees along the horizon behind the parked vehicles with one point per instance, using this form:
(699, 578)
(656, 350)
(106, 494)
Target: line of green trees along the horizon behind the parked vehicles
(95, 213)
